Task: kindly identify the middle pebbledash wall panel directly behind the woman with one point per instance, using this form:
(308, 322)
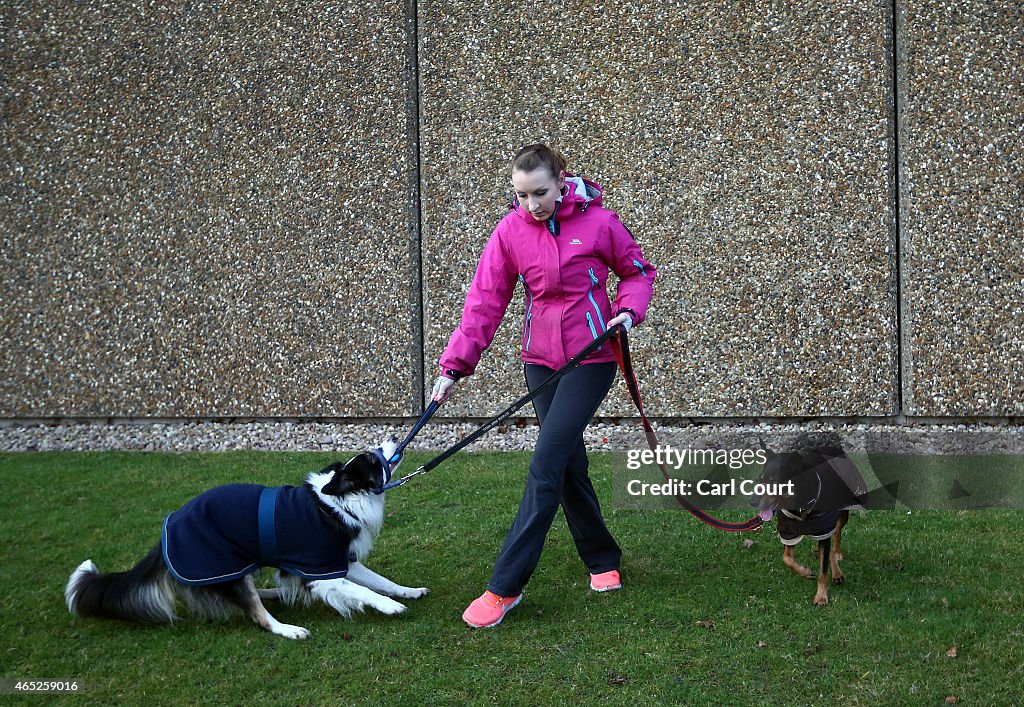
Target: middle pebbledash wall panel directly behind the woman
(748, 147)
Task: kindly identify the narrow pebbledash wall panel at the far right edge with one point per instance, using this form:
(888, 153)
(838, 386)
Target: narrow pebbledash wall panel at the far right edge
(962, 206)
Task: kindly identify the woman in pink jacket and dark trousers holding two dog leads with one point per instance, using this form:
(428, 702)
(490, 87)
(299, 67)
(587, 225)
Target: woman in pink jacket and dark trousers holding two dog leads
(561, 244)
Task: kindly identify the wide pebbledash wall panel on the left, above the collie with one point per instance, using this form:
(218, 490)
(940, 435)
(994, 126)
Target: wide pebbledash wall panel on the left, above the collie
(207, 211)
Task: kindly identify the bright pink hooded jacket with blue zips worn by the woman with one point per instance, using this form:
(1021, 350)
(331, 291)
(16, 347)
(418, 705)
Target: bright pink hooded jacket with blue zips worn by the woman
(564, 266)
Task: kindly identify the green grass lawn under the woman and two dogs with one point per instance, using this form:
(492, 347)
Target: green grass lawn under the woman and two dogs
(931, 610)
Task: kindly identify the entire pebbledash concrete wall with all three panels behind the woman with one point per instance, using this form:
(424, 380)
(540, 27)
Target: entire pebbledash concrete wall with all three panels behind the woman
(277, 212)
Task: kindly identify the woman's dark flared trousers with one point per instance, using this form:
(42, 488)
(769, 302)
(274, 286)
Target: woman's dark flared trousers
(559, 476)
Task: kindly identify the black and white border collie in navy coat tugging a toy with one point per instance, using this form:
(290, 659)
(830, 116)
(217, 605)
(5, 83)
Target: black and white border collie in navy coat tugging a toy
(318, 536)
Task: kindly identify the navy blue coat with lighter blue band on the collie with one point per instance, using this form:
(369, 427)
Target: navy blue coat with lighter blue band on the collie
(232, 531)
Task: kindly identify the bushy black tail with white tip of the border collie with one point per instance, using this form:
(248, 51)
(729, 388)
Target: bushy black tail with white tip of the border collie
(145, 595)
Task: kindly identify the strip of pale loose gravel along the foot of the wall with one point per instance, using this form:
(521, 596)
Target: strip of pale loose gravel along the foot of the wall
(518, 435)
